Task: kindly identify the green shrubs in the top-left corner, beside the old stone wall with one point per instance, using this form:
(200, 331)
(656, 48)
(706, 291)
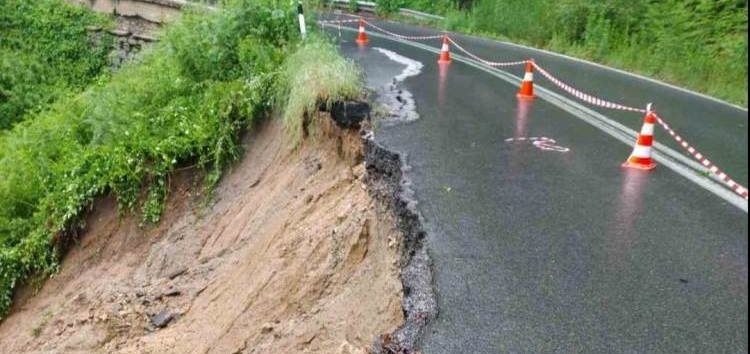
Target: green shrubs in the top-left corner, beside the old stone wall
(45, 53)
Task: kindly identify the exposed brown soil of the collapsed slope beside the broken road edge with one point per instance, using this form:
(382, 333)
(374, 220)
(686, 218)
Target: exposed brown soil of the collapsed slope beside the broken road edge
(293, 256)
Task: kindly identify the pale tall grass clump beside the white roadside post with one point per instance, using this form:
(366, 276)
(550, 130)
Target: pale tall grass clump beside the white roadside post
(316, 74)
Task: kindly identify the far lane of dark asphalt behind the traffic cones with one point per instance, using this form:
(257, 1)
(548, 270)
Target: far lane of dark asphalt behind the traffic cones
(718, 130)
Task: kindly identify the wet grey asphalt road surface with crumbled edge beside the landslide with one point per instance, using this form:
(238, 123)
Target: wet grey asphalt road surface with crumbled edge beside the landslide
(548, 252)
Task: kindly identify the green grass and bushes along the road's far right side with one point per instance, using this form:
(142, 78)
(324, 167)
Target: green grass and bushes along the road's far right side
(698, 44)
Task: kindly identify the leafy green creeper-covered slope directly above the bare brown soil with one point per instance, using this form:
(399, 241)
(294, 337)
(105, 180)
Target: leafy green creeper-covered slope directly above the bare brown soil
(183, 103)
